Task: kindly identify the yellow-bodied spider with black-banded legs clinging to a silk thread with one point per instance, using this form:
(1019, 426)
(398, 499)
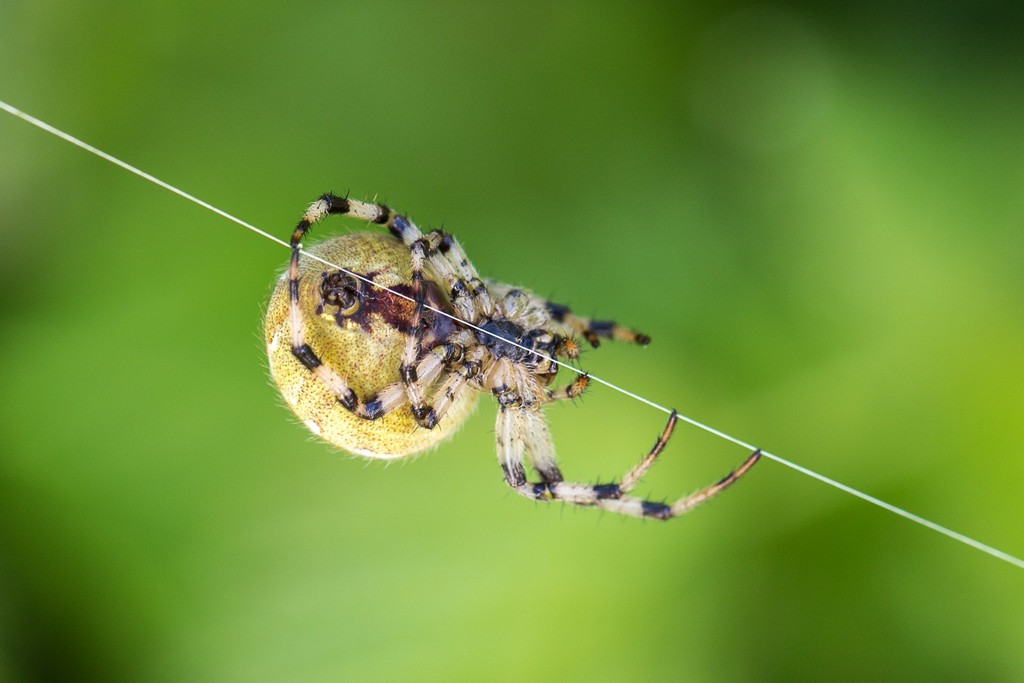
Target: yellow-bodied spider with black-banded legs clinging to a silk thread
(362, 357)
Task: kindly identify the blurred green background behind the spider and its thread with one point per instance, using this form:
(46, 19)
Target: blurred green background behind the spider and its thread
(817, 214)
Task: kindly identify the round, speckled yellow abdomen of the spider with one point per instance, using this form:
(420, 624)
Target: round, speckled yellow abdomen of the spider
(363, 343)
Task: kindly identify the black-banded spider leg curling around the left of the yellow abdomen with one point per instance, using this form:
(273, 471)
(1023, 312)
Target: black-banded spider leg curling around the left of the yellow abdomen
(377, 214)
